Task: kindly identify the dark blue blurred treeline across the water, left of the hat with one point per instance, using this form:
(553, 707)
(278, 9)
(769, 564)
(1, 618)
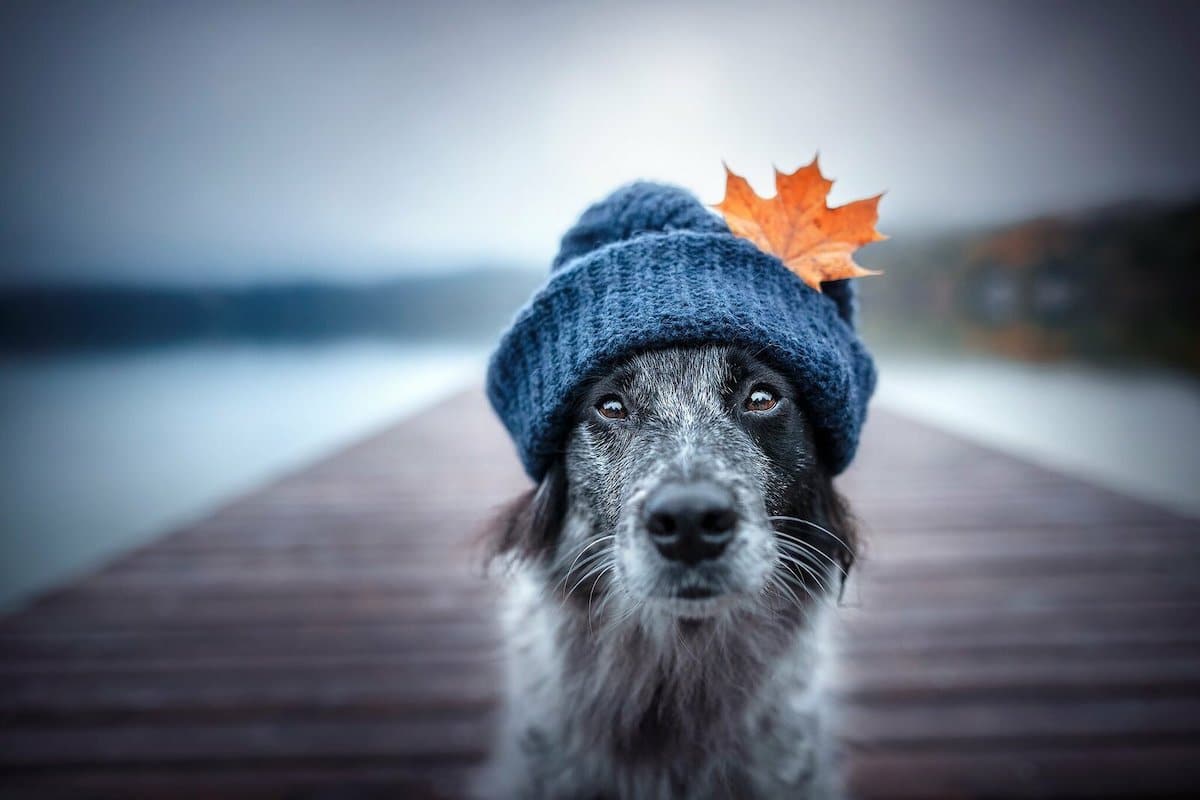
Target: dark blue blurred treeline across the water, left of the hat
(463, 305)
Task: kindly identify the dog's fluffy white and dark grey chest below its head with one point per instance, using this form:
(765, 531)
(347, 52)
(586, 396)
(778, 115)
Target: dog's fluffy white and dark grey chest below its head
(625, 721)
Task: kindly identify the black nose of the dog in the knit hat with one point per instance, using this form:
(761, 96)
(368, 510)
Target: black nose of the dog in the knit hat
(691, 522)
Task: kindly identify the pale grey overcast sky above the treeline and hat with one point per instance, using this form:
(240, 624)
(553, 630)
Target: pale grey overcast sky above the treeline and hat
(230, 142)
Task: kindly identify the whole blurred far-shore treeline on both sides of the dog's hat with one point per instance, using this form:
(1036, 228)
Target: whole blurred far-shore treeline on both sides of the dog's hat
(1121, 285)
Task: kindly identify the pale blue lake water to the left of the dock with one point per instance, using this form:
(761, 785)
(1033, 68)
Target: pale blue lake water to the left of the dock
(100, 454)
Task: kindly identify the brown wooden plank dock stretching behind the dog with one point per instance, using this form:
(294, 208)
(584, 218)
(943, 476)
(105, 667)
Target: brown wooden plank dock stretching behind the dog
(1012, 634)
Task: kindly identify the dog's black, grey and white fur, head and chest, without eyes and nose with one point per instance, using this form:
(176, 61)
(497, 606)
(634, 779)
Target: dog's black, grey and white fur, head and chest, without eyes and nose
(617, 685)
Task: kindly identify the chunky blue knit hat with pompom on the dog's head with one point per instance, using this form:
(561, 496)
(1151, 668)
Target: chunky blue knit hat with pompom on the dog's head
(649, 268)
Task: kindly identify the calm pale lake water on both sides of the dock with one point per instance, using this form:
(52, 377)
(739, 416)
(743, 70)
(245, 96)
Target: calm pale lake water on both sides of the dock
(104, 453)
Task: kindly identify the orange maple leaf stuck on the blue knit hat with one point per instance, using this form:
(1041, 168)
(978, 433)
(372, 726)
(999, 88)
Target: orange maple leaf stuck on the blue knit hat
(813, 240)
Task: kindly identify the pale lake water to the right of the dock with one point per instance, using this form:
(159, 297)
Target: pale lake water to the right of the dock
(1136, 431)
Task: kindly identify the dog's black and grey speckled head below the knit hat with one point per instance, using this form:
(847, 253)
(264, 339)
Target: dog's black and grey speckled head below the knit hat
(691, 488)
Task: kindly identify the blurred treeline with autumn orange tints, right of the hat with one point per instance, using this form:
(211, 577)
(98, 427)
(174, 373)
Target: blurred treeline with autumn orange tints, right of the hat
(1121, 285)
